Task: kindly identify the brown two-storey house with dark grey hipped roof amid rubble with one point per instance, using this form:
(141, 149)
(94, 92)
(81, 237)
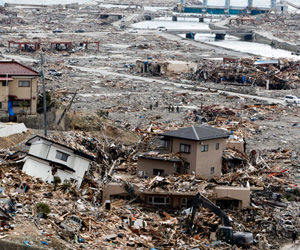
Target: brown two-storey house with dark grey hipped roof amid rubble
(186, 151)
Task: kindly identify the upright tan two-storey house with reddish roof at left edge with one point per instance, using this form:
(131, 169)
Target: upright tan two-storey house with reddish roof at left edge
(18, 88)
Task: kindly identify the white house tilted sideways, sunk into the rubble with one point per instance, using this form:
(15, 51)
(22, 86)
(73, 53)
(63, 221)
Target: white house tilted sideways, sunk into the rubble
(47, 159)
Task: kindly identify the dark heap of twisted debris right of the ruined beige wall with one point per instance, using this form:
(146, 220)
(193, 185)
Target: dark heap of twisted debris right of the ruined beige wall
(284, 75)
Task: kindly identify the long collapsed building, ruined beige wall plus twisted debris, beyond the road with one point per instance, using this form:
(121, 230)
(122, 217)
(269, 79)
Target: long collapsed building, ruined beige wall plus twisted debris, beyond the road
(269, 74)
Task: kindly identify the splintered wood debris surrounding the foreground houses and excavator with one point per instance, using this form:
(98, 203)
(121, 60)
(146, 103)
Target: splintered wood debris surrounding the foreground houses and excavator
(65, 216)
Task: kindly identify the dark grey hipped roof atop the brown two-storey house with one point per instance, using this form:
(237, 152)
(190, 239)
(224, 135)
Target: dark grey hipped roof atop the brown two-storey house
(199, 133)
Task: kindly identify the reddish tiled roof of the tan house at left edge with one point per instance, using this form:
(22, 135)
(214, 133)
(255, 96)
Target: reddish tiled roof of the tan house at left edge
(14, 68)
